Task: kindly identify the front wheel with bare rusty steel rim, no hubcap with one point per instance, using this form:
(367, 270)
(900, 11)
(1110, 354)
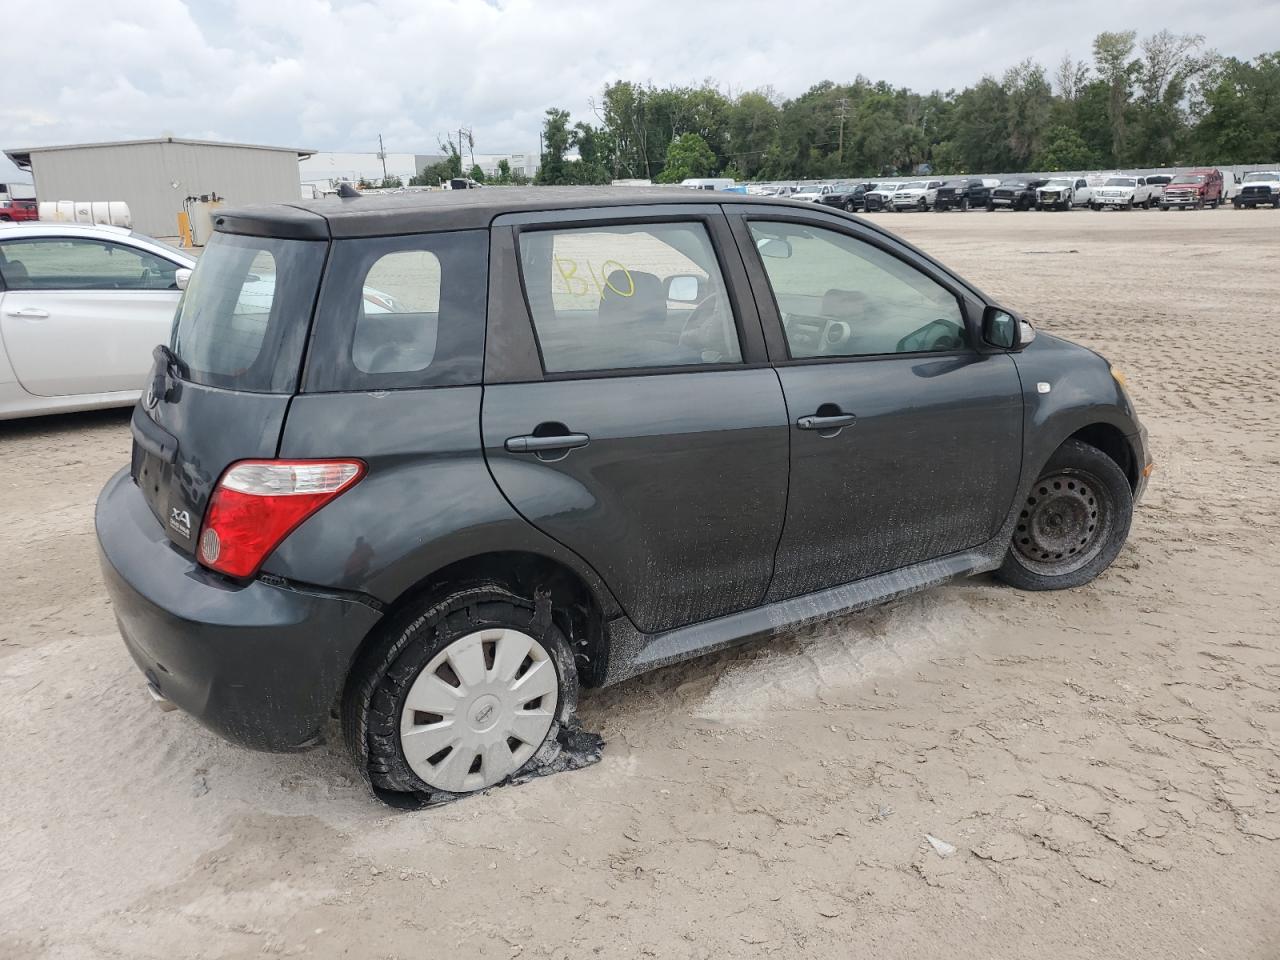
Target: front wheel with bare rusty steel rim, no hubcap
(1073, 523)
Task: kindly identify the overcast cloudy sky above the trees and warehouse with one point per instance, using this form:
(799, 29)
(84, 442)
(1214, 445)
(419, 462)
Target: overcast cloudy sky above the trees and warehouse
(332, 75)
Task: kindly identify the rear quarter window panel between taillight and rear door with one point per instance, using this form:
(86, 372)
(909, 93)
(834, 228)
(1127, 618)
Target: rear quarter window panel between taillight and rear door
(401, 313)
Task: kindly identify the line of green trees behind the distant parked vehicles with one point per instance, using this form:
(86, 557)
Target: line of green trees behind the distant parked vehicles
(1162, 100)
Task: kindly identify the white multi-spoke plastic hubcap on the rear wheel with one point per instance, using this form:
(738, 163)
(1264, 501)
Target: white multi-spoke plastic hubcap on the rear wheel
(479, 710)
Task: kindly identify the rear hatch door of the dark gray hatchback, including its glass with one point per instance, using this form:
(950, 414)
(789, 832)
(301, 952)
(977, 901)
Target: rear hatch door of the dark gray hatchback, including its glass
(221, 390)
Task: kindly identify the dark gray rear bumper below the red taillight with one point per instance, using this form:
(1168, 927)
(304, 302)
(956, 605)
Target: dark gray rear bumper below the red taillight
(260, 665)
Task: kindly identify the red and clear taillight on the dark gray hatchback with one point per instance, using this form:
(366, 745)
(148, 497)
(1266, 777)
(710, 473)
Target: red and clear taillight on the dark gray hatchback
(260, 502)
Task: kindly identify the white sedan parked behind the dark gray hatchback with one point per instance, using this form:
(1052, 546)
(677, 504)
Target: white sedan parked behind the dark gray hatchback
(81, 309)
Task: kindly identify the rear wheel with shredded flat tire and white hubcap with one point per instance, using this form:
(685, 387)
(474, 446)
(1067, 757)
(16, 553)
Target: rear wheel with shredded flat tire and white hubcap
(460, 696)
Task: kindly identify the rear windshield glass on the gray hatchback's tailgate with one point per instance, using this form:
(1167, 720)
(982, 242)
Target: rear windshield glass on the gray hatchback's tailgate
(245, 316)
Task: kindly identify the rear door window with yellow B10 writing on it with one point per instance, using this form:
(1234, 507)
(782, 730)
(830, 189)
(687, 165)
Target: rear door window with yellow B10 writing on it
(628, 296)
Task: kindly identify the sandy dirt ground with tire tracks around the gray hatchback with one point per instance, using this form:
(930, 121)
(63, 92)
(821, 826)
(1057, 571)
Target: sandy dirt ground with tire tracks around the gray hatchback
(1104, 762)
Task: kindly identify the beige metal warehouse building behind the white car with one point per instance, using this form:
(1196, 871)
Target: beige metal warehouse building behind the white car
(154, 177)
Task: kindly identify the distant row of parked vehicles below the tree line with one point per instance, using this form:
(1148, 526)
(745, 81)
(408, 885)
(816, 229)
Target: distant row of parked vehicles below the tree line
(1195, 190)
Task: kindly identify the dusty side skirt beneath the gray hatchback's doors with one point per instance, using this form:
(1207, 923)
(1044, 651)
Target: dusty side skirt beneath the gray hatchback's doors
(633, 653)
